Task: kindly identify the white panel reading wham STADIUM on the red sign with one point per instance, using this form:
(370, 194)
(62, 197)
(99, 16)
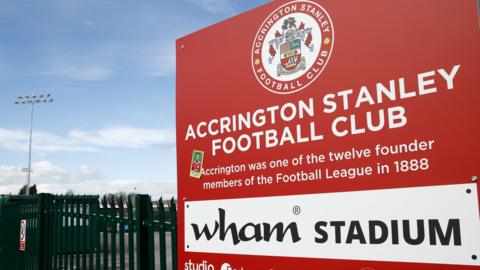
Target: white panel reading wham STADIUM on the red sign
(437, 224)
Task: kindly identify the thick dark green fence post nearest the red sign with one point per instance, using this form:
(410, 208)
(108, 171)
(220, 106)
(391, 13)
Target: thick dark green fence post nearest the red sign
(141, 231)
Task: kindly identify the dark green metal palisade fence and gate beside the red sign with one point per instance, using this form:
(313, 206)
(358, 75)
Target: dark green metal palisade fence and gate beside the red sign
(84, 232)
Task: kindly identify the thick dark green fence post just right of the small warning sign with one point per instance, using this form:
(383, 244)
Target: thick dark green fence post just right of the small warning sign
(42, 230)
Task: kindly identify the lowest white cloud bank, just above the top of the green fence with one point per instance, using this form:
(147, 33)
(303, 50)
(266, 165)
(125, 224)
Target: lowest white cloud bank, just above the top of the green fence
(51, 178)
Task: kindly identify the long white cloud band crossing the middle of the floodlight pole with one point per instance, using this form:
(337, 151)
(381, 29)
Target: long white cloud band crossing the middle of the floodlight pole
(88, 141)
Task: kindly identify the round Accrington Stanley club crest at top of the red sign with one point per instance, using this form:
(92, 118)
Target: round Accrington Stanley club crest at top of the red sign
(292, 47)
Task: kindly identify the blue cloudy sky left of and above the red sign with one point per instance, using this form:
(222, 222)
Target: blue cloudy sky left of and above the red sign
(110, 67)
